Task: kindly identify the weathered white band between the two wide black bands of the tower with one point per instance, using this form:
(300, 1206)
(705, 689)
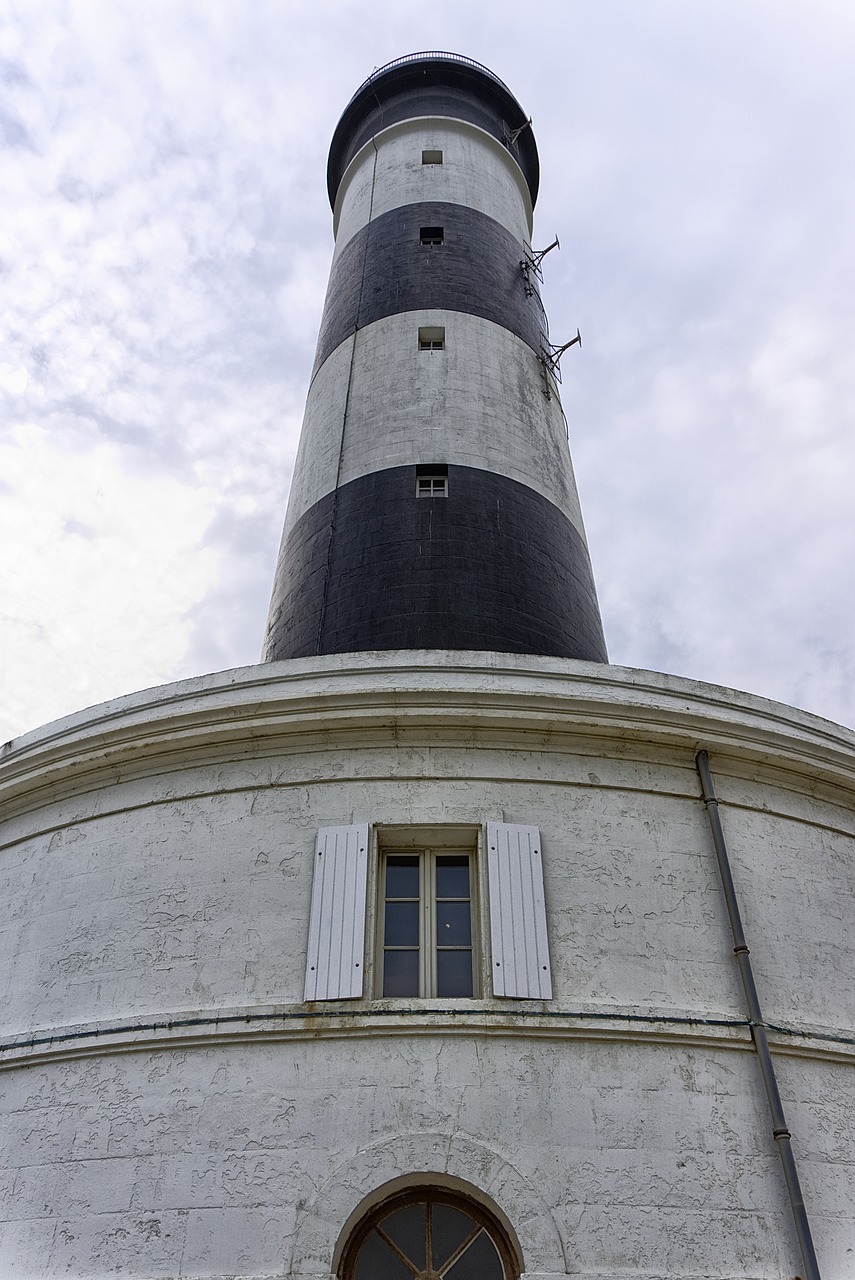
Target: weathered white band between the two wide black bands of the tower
(381, 403)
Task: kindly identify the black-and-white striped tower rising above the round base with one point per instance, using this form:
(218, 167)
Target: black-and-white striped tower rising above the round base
(433, 502)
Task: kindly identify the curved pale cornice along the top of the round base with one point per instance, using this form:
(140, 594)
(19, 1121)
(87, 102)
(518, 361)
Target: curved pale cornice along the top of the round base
(452, 697)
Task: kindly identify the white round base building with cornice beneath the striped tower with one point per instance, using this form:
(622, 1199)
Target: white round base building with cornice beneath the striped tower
(173, 1103)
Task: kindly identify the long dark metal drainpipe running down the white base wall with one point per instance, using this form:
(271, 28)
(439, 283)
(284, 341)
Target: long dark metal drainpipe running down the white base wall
(780, 1131)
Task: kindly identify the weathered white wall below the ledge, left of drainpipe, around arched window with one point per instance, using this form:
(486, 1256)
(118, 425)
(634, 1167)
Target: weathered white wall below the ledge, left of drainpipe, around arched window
(647, 1160)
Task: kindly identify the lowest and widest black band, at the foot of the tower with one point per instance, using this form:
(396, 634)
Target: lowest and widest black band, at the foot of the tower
(492, 566)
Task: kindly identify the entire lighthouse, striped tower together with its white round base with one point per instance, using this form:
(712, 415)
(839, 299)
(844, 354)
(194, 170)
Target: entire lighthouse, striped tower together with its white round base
(433, 945)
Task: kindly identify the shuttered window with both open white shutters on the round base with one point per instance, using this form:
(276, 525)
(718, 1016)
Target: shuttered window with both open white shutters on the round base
(432, 890)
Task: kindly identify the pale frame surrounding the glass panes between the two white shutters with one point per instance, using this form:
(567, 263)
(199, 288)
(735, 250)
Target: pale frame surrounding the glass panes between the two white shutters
(429, 843)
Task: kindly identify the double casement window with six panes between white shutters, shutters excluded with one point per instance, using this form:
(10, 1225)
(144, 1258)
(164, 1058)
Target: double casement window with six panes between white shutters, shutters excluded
(426, 924)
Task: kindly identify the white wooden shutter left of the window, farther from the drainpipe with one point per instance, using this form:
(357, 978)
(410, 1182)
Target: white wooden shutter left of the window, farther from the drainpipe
(337, 924)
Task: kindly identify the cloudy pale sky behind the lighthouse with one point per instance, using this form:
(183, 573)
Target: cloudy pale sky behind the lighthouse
(166, 241)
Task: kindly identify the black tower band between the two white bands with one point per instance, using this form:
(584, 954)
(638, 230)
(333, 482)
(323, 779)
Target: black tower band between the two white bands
(385, 271)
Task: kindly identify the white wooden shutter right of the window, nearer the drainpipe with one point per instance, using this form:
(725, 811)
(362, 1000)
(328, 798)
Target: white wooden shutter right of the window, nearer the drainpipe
(518, 913)
